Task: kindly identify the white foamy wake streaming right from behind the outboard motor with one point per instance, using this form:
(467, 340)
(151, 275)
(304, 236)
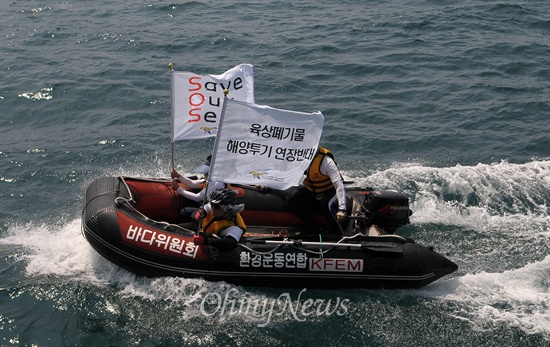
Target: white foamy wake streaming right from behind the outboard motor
(484, 196)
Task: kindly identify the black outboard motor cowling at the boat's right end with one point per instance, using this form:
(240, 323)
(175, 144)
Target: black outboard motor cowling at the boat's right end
(387, 209)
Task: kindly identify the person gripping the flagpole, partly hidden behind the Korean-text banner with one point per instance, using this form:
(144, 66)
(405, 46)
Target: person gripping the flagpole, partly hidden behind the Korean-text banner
(192, 200)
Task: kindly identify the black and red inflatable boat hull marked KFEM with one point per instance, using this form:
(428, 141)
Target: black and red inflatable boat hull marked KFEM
(275, 257)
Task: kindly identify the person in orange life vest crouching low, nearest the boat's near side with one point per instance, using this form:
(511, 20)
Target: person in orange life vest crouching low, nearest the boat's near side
(221, 223)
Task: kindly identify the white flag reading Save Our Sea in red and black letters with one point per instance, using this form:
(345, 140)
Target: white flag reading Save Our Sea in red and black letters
(197, 100)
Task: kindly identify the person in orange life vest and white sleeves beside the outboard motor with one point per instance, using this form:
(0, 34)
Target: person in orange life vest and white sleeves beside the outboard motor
(322, 186)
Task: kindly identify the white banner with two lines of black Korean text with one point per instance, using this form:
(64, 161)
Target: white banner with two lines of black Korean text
(260, 145)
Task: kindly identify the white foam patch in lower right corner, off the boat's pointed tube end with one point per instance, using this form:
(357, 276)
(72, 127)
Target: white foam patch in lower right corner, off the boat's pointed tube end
(517, 298)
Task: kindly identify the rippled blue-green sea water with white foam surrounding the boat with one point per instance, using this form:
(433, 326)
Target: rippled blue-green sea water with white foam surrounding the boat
(446, 102)
